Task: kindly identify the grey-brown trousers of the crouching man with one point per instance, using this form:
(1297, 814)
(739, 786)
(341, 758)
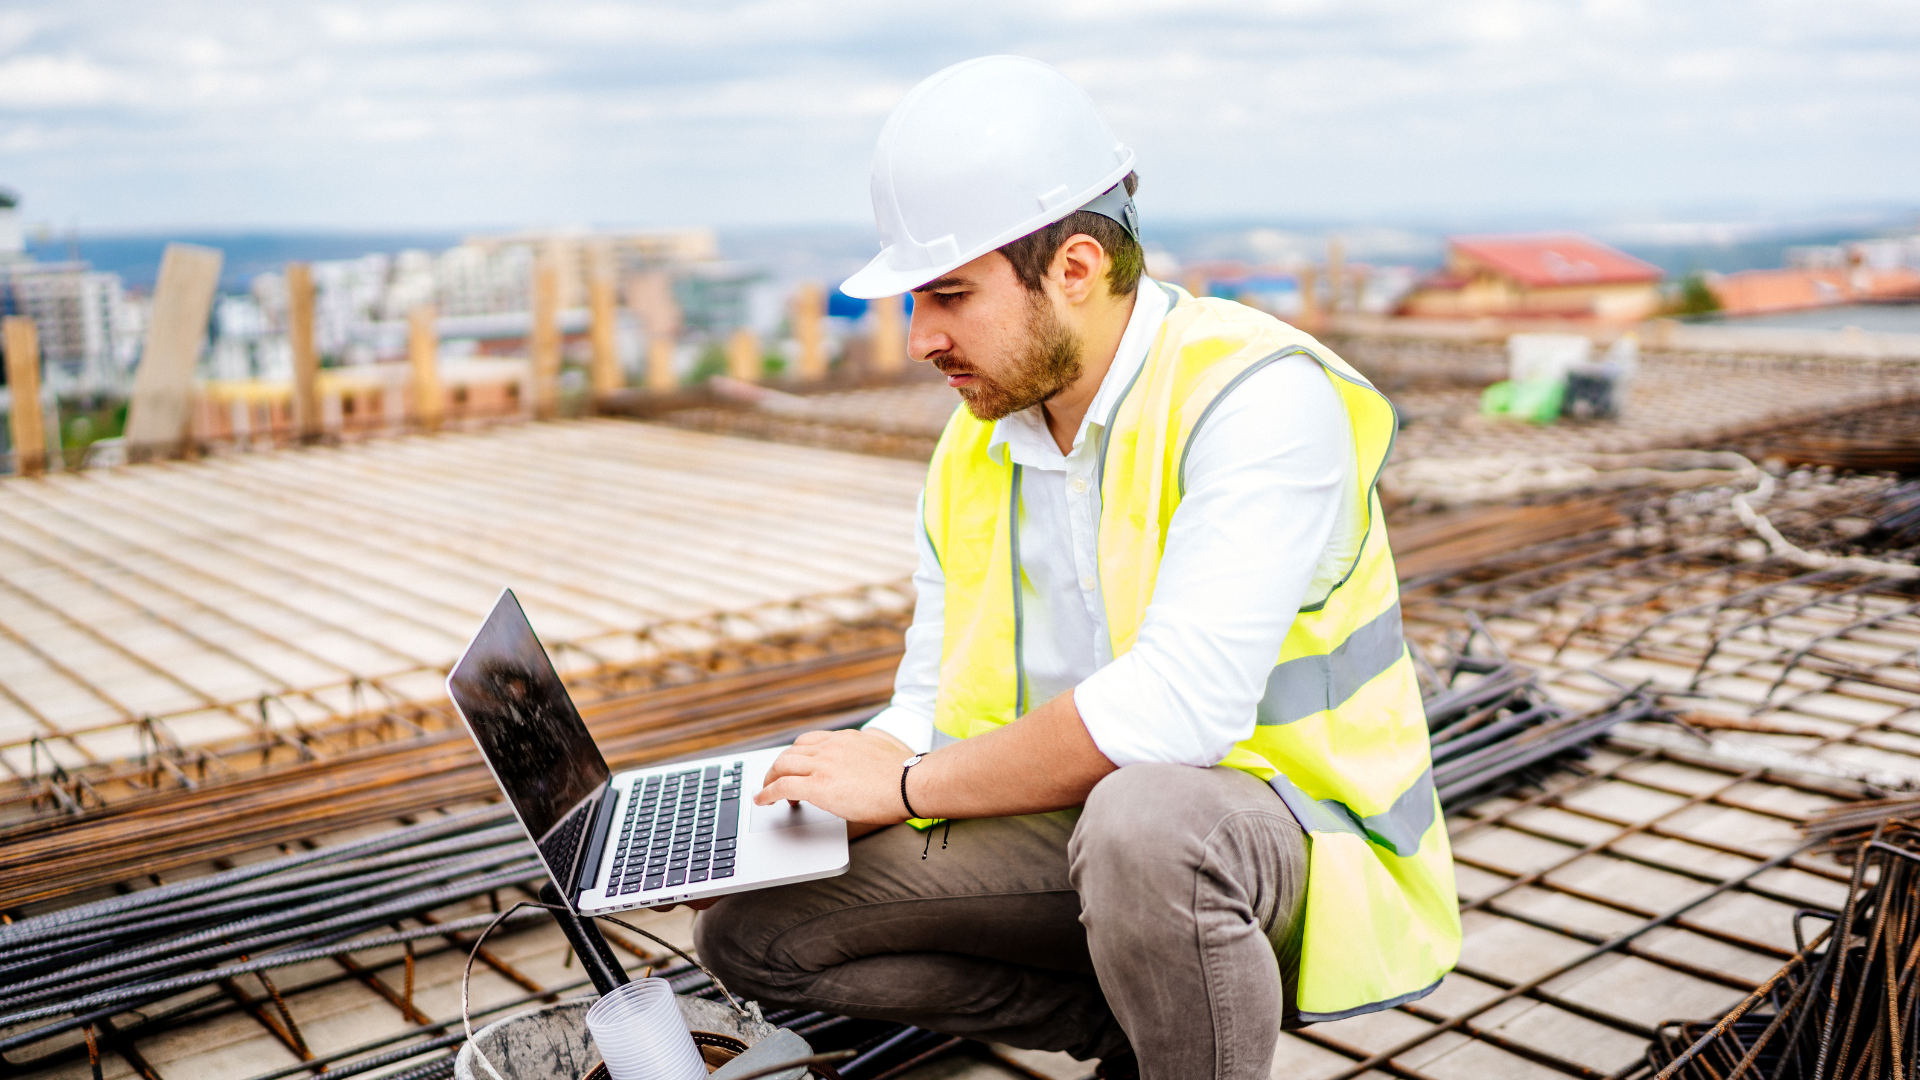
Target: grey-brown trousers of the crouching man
(1159, 920)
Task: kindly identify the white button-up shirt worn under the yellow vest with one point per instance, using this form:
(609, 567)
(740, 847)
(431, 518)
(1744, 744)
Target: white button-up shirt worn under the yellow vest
(1268, 478)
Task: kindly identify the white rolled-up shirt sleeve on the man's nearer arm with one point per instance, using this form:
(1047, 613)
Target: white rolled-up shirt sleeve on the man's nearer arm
(1266, 478)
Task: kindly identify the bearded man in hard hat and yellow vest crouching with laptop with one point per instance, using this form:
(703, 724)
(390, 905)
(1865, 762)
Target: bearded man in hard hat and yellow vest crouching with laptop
(1155, 683)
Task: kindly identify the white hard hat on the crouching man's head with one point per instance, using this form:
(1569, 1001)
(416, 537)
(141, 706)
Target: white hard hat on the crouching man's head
(978, 157)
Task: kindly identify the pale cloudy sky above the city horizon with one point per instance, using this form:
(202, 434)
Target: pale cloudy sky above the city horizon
(402, 114)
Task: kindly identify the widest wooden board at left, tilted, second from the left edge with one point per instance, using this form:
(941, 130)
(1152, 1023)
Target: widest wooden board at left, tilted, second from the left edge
(162, 405)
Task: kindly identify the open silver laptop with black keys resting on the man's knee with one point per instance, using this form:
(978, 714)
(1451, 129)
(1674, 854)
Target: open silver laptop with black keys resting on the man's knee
(638, 839)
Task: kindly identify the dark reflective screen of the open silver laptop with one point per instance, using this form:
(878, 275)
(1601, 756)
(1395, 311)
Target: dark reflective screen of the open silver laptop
(529, 731)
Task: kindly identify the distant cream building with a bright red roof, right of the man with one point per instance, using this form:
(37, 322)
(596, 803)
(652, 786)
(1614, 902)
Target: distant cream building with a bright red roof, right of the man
(1547, 276)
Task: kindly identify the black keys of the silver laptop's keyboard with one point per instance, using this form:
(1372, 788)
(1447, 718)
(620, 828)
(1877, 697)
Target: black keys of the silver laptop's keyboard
(679, 829)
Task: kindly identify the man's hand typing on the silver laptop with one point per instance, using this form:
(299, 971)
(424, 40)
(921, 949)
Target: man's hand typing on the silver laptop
(848, 773)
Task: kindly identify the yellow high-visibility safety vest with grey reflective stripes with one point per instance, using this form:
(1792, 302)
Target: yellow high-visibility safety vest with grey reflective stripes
(1341, 731)
